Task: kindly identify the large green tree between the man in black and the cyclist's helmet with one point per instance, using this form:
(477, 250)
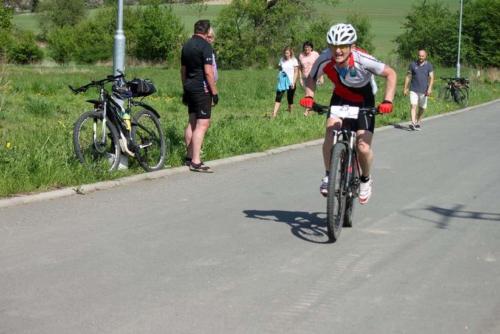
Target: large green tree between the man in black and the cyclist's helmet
(254, 33)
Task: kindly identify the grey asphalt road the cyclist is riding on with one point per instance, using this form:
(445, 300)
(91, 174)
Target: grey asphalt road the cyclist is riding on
(244, 250)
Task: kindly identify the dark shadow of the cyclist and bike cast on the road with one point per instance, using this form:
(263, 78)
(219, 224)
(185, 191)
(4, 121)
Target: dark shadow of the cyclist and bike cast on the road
(308, 226)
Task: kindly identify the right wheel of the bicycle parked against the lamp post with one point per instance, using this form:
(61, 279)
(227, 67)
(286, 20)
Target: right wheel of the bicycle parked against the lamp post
(149, 141)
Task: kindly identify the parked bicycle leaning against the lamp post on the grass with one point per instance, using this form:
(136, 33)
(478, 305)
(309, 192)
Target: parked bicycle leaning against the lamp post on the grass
(119, 124)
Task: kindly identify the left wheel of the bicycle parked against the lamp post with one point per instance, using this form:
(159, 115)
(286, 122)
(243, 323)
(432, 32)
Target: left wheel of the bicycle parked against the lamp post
(94, 146)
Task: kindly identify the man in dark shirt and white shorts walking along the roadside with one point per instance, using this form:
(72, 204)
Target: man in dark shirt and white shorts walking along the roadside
(421, 75)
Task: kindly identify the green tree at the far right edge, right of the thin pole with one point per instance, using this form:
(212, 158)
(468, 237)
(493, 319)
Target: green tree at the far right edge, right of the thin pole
(481, 33)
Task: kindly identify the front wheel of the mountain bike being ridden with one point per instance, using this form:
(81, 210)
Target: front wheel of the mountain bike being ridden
(336, 201)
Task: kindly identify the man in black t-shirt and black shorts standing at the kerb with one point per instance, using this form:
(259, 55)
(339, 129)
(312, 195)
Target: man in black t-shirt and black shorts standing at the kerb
(200, 92)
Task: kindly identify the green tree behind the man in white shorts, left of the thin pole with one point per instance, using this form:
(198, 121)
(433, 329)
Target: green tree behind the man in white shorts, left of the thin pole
(429, 26)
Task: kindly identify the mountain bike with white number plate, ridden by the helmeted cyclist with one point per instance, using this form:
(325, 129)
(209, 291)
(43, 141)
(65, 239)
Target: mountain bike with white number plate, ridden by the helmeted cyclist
(344, 179)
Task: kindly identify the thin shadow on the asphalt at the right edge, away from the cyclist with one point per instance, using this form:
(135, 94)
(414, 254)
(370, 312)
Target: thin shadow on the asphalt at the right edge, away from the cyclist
(456, 212)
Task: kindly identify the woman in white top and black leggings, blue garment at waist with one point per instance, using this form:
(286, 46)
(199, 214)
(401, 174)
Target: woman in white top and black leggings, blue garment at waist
(288, 66)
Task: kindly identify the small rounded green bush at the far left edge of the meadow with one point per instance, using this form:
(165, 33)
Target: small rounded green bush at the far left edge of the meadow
(24, 49)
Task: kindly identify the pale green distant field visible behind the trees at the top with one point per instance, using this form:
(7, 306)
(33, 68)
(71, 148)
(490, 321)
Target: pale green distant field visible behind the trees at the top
(386, 16)
